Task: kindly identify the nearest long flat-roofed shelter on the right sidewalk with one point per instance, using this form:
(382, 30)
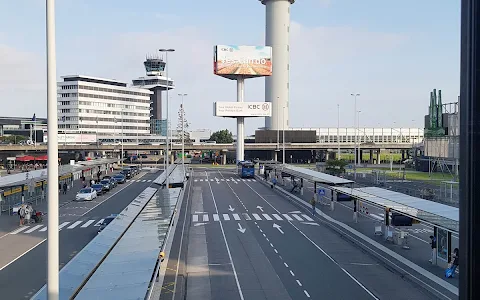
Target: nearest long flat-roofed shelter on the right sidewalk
(443, 218)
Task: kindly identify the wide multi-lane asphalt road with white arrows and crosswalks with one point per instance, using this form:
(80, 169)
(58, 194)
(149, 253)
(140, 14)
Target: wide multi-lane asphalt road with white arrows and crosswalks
(260, 246)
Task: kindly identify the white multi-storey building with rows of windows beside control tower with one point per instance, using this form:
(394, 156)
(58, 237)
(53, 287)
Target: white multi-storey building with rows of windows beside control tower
(102, 107)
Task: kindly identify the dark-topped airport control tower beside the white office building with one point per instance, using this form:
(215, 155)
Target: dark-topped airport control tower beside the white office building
(156, 81)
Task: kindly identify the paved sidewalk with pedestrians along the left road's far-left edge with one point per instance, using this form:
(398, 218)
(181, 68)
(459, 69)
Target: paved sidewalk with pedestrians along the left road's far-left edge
(11, 222)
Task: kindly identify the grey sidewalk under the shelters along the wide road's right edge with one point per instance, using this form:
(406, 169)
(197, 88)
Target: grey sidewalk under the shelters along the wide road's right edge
(418, 254)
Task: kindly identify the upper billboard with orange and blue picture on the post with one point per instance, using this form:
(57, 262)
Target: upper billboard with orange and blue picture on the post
(231, 61)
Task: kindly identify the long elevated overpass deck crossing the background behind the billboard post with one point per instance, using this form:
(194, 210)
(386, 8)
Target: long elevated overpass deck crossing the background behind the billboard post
(228, 147)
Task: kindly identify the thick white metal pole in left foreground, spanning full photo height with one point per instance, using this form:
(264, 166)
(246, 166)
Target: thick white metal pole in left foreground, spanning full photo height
(52, 152)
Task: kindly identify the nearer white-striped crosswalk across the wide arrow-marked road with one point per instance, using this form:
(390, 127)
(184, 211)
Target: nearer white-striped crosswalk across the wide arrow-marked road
(251, 217)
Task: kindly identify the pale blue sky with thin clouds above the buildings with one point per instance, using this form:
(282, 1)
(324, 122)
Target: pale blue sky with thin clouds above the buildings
(393, 53)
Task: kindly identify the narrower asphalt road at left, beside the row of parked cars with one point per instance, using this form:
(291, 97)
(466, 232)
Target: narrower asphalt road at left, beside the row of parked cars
(23, 277)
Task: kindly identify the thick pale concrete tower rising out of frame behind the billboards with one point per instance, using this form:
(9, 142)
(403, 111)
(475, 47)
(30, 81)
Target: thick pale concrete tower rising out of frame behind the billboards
(277, 86)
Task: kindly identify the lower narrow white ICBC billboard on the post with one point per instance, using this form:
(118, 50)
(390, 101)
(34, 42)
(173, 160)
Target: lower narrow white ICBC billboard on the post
(242, 109)
